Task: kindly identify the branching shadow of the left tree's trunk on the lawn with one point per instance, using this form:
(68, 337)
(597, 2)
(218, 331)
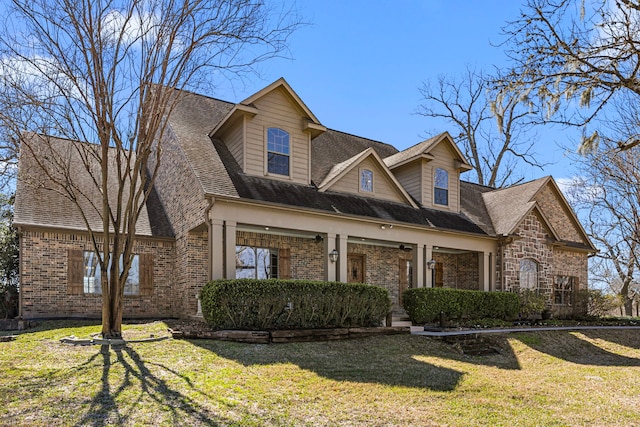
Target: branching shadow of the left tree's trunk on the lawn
(106, 411)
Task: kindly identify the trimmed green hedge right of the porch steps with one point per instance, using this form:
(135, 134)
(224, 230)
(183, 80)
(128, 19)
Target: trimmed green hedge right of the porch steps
(424, 305)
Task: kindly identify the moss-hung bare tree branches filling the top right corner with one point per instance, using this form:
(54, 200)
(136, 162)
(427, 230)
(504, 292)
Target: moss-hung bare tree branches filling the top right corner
(577, 54)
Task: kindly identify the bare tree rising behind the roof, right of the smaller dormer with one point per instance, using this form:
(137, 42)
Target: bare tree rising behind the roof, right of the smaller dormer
(493, 125)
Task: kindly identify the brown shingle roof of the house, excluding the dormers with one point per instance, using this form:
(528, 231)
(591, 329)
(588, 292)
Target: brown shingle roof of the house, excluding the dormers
(484, 210)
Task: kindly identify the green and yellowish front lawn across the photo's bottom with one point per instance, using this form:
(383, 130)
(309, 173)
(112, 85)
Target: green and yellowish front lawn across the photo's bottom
(540, 379)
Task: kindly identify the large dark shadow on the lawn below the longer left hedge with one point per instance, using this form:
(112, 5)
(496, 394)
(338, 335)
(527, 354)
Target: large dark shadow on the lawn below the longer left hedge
(382, 360)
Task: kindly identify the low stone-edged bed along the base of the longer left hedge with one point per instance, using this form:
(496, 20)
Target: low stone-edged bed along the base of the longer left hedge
(196, 329)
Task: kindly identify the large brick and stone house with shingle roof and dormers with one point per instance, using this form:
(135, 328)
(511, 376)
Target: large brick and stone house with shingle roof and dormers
(262, 188)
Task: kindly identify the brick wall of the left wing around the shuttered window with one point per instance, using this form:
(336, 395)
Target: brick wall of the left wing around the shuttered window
(44, 259)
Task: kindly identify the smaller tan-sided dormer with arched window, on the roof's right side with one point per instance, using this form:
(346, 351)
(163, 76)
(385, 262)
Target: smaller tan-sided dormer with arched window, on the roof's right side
(430, 172)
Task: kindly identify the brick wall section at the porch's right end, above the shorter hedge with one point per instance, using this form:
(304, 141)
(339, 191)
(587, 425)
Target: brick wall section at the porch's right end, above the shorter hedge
(459, 271)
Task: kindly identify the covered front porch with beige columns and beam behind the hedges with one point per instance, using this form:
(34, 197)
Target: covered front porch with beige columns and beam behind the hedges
(315, 246)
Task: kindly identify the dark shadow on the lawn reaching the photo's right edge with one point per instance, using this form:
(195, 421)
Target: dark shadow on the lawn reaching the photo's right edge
(570, 347)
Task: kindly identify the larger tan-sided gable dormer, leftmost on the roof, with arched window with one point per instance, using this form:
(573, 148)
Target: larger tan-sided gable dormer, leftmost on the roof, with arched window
(269, 134)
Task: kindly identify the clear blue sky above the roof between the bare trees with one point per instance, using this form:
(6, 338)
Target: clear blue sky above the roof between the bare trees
(359, 64)
